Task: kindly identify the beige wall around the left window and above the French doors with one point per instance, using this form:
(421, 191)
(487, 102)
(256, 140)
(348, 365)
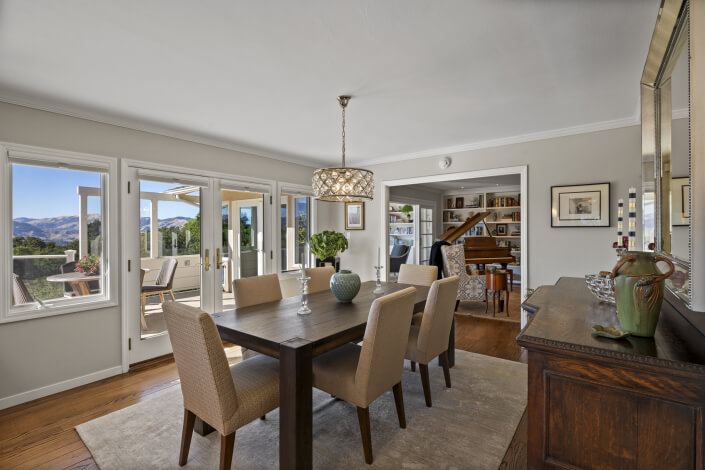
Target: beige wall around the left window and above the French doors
(42, 352)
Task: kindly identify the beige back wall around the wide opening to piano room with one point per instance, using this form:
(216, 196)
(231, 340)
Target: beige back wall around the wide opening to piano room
(607, 156)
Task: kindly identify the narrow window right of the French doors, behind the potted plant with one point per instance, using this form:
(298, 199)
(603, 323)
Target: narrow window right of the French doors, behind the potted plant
(295, 229)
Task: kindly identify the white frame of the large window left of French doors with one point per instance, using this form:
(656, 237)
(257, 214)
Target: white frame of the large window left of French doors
(11, 153)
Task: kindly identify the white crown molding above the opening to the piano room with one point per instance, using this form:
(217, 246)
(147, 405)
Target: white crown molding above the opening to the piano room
(517, 139)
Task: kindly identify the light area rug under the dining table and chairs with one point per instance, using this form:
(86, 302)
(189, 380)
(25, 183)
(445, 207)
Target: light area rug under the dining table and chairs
(470, 426)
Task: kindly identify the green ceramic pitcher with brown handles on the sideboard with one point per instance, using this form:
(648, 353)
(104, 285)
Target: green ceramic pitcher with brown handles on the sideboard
(638, 290)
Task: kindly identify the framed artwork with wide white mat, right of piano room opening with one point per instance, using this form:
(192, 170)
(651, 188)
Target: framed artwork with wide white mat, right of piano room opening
(586, 205)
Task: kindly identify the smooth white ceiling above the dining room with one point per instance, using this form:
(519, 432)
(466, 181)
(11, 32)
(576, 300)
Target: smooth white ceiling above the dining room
(427, 77)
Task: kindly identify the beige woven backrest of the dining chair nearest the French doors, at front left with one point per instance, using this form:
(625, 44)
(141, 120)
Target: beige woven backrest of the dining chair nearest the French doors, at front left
(206, 382)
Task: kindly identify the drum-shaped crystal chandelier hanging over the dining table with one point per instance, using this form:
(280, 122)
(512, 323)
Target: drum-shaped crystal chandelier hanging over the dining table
(341, 184)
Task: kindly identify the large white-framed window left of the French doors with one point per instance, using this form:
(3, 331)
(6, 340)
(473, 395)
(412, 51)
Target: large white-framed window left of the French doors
(56, 238)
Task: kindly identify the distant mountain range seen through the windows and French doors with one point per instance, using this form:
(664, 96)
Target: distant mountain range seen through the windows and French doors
(62, 230)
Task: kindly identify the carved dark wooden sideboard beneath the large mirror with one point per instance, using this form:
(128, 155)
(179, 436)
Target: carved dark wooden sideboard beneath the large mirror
(597, 403)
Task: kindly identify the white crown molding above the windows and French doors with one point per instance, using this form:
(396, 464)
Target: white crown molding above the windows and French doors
(160, 130)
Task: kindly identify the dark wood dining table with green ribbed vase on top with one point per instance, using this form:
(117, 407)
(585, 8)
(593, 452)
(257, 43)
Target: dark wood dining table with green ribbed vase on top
(275, 329)
